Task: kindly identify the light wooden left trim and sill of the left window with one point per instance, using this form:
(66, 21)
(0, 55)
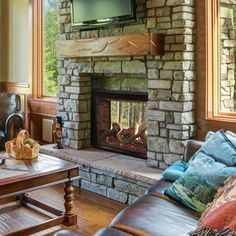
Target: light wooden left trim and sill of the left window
(37, 52)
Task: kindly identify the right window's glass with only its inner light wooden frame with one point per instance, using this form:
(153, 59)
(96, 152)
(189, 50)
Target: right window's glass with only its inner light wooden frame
(223, 76)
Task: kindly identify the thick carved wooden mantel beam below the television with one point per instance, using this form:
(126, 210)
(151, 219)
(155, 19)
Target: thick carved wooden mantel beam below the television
(139, 44)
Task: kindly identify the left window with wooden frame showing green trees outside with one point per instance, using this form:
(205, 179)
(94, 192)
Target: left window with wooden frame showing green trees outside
(45, 31)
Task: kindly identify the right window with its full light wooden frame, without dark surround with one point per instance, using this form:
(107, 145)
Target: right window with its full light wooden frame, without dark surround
(220, 59)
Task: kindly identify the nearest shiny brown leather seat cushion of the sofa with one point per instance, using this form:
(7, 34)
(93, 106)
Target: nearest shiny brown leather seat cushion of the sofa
(151, 215)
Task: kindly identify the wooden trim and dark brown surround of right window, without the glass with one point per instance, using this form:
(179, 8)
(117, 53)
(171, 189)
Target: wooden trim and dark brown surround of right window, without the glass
(207, 70)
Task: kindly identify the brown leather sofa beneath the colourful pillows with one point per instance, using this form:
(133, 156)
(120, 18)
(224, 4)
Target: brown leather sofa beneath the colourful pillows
(154, 213)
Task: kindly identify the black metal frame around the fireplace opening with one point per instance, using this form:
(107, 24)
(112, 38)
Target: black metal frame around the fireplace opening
(114, 95)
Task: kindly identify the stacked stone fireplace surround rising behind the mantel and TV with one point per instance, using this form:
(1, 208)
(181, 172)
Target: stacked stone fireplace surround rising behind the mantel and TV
(170, 78)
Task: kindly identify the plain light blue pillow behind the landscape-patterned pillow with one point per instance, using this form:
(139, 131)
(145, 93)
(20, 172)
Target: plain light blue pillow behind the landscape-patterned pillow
(219, 147)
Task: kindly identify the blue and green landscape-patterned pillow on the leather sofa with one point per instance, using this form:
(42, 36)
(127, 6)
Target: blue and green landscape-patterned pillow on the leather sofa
(197, 187)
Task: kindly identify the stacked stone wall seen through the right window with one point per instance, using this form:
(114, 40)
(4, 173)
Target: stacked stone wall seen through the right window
(227, 55)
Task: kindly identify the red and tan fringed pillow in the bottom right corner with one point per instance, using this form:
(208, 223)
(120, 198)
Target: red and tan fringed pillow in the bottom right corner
(220, 217)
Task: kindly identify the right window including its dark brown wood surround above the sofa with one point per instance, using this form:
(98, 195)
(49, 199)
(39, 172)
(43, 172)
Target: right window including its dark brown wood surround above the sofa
(215, 66)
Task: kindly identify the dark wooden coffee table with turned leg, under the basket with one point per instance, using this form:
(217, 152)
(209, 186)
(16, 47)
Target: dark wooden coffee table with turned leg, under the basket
(18, 177)
